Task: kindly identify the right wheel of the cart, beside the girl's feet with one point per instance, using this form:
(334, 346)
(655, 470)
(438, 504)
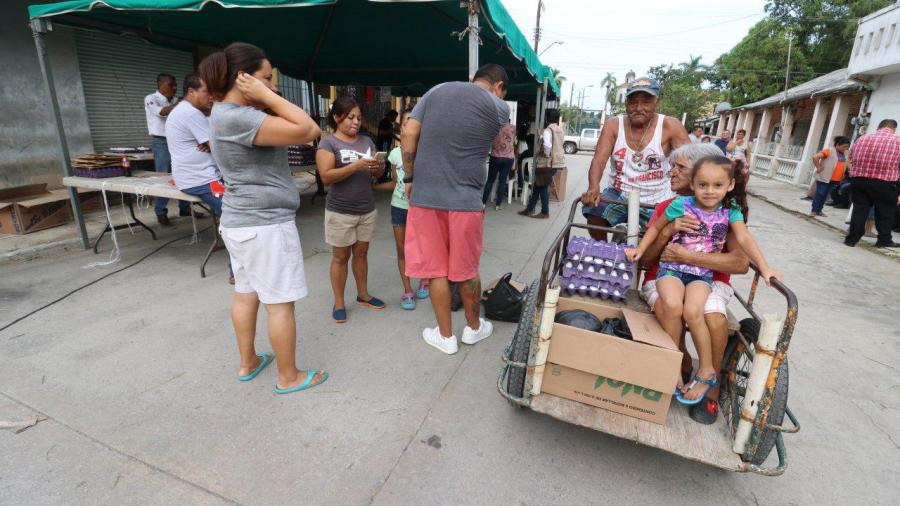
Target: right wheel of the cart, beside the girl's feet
(735, 373)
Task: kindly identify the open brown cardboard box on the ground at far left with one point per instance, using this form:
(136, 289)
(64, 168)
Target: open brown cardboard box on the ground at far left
(29, 208)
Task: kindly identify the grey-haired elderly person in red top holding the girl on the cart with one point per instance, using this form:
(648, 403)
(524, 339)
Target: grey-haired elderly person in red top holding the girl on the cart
(732, 260)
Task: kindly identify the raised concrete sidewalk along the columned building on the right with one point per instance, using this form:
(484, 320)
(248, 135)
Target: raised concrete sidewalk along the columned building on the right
(787, 197)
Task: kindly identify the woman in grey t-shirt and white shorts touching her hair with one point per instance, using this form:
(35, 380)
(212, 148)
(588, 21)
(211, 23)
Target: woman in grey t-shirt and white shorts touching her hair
(260, 202)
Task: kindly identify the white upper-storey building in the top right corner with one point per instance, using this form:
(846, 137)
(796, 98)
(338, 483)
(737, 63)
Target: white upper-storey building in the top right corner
(876, 59)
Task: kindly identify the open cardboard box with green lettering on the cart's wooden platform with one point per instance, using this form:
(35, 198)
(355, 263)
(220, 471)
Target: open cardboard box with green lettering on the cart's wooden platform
(635, 378)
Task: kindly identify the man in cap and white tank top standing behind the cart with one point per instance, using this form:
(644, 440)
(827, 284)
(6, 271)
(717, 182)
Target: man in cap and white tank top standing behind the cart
(639, 143)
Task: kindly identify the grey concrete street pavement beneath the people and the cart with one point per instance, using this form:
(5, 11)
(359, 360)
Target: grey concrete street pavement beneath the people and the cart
(136, 375)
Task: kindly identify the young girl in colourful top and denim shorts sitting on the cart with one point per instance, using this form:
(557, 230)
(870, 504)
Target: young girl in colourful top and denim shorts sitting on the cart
(719, 208)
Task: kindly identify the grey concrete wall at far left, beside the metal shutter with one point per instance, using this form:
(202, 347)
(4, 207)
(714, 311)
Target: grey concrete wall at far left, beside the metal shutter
(28, 142)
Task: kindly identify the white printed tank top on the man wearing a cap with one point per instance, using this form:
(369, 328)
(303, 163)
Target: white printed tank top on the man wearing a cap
(647, 171)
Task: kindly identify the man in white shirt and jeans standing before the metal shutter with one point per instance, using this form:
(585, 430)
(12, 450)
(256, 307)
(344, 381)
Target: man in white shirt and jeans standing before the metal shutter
(157, 107)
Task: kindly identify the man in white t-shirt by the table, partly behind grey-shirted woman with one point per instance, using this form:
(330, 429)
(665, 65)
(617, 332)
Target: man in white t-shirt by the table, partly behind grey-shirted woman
(187, 133)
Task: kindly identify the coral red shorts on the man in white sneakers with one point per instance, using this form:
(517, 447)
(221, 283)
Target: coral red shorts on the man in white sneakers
(443, 243)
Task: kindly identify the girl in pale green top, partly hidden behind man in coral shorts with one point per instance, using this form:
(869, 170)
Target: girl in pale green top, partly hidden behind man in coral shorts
(399, 208)
